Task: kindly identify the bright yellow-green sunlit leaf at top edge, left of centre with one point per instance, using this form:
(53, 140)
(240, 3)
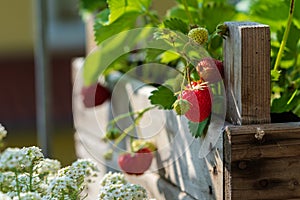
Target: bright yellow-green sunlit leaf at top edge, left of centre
(119, 7)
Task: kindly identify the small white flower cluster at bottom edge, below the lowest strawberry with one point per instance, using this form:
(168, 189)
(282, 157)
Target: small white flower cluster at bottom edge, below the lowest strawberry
(114, 186)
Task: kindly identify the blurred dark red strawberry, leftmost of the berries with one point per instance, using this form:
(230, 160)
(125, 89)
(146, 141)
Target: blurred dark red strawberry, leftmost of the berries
(94, 95)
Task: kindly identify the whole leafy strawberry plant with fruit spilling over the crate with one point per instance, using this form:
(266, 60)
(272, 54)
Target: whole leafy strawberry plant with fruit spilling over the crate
(188, 38)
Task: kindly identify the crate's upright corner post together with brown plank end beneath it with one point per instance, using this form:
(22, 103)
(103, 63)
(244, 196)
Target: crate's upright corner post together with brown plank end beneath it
(261, 160)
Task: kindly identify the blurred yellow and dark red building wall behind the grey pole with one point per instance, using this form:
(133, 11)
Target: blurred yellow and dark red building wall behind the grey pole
(65, 41)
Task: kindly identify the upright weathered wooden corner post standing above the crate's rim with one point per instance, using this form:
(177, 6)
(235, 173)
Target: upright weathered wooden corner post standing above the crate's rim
(247, 72)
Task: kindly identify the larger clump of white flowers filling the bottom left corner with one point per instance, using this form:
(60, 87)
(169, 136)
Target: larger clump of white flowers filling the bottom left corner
(26, 175)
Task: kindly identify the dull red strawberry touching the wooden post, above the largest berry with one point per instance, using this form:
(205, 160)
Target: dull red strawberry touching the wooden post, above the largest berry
(207, 69)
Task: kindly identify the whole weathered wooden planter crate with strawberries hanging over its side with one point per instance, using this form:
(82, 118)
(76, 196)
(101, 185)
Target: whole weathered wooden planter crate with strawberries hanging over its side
(254, 159)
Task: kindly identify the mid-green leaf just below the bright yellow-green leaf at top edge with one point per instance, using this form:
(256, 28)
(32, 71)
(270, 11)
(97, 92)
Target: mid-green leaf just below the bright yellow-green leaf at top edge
(126, 22)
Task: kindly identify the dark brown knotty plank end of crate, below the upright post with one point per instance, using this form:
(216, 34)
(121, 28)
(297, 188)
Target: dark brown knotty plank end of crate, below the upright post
(262, 161)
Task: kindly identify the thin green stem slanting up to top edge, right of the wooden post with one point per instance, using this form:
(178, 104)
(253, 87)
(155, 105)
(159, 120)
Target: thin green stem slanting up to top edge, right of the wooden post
(285, 36)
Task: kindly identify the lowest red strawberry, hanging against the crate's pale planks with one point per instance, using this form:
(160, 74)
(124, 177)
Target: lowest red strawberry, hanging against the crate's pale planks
(136, 163)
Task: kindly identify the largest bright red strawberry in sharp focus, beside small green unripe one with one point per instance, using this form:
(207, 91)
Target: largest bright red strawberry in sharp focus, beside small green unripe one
(200, 101)
